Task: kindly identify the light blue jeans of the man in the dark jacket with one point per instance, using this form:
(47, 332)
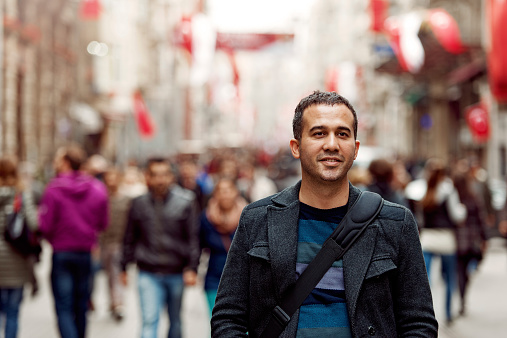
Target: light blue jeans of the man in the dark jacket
(156, 291)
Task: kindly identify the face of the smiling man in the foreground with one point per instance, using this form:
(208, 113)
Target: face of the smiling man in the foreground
(327, 148)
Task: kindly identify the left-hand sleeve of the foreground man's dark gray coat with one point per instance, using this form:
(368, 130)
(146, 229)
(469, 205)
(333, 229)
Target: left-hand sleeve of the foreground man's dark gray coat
(230, 314)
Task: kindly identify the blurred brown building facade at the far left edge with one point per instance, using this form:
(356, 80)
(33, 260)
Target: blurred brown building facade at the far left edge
(38, 58)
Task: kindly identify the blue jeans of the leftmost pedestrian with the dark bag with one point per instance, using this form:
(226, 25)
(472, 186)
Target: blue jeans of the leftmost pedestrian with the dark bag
(10, 299)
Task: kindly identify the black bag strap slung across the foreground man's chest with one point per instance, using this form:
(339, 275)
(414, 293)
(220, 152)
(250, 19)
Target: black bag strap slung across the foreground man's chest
(361, 213)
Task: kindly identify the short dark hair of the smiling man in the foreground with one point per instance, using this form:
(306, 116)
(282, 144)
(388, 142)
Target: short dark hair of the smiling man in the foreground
(318, 97)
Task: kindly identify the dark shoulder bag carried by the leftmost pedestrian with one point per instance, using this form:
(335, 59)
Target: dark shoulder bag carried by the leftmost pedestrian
(17, 233)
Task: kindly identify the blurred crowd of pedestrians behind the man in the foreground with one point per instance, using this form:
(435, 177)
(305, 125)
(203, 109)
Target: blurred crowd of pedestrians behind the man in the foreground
(171, 215)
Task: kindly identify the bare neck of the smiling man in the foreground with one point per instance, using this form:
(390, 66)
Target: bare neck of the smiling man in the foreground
(324, 196)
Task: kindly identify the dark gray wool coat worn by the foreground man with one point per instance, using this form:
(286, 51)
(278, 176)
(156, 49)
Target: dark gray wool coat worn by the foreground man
(386, 285)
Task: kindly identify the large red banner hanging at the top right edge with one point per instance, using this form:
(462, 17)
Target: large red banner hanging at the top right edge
(496, 18)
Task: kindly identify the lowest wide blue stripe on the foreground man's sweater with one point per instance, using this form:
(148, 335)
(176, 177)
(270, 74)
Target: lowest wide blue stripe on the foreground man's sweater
(321, 315)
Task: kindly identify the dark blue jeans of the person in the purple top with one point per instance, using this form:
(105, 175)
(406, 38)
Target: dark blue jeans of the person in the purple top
(70, 281)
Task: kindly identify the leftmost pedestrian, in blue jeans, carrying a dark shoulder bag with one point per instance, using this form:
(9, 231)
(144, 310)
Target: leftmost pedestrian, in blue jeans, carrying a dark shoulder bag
(16, 268)
